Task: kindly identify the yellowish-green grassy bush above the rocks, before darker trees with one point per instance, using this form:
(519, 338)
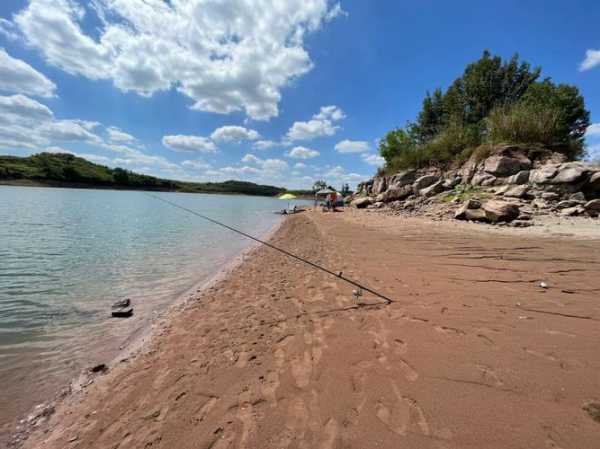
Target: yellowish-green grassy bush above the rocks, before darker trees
(523, 123)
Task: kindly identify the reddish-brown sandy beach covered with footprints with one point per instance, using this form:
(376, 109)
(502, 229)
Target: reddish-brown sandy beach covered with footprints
(474, 354)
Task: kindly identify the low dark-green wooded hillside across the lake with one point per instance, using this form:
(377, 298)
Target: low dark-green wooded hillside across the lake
(53, 169)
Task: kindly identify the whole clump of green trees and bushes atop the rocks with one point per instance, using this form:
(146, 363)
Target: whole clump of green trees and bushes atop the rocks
(493, 101)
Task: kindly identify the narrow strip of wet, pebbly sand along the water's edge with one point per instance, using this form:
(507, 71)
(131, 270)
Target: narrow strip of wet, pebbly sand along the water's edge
(133, 346)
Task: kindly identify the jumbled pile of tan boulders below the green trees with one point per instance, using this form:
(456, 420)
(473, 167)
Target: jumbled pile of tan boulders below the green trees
(538, 181)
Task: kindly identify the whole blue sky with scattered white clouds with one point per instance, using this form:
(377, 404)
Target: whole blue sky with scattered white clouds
(269, 91)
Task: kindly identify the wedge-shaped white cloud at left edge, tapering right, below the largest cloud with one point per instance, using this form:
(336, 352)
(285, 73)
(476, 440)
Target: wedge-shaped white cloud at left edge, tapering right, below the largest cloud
(17, 76)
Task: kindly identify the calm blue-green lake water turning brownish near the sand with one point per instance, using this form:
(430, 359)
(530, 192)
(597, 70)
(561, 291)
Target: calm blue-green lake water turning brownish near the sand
(67, 254)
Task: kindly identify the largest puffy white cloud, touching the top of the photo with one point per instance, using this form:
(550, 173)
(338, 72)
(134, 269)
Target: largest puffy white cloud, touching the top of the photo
(225, 56)
